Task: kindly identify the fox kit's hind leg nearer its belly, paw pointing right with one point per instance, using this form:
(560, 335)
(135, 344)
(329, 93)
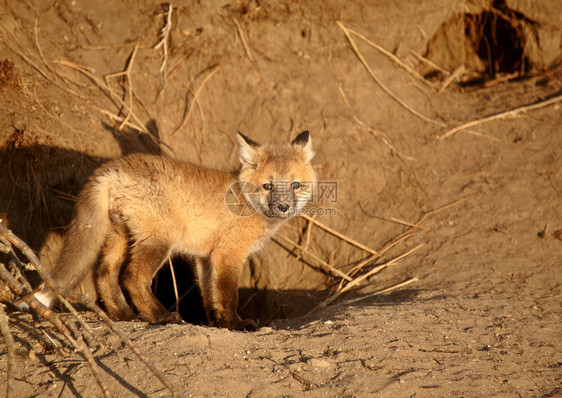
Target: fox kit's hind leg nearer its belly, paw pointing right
(146, 258)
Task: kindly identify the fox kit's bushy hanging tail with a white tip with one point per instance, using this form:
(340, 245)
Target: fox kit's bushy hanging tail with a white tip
(83, 241)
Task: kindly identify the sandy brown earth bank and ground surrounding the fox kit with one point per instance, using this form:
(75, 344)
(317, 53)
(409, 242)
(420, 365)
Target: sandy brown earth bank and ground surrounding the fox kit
(483, 317)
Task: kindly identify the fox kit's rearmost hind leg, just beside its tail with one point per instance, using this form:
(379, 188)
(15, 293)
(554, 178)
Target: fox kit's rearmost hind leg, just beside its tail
(107, 276)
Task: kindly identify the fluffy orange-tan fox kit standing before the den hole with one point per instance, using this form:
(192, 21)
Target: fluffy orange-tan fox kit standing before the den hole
(139, 210)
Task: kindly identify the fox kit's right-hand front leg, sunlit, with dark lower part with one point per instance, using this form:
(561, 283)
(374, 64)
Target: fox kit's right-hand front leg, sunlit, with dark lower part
(221, 290)
